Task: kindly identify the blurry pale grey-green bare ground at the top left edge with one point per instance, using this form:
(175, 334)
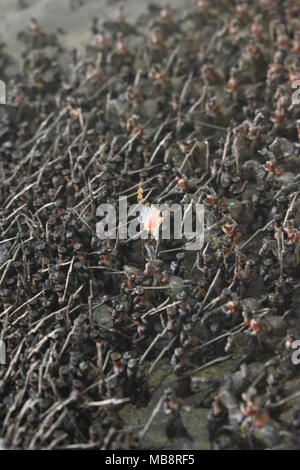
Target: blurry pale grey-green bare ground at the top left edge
(73, 16)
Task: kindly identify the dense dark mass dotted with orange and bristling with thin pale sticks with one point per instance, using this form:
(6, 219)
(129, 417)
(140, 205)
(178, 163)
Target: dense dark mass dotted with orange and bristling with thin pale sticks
(197, 109)
